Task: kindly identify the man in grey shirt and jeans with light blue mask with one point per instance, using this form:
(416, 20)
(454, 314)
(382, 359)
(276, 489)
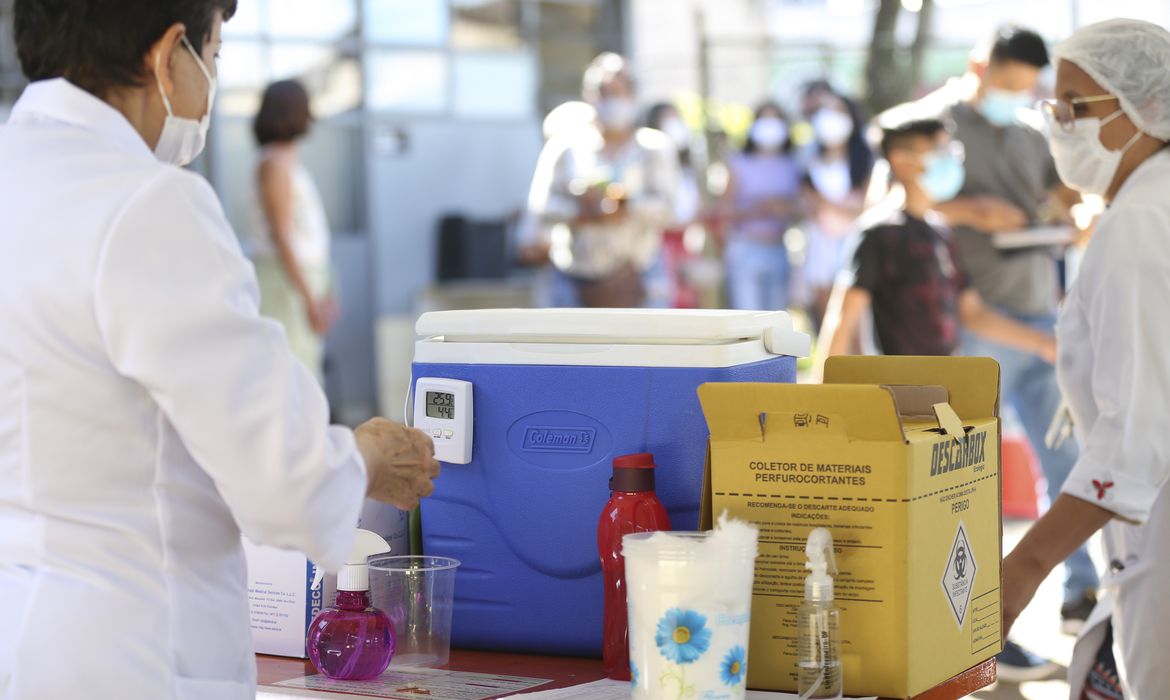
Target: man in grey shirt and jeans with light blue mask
(1013, 186)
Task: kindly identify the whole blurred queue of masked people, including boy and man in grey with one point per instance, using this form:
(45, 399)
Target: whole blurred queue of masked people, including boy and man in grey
(938, 228)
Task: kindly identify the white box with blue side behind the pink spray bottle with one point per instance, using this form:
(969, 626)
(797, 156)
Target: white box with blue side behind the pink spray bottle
(280, 595)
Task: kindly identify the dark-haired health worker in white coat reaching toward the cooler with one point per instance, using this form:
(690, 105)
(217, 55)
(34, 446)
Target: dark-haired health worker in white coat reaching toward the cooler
(148, 415)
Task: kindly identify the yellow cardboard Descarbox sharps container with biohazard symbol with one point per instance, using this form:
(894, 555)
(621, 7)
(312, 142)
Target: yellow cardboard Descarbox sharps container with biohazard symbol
(899, 458)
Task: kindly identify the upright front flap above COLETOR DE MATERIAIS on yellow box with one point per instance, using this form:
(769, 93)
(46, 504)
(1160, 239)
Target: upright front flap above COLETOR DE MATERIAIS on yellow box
(741, 411)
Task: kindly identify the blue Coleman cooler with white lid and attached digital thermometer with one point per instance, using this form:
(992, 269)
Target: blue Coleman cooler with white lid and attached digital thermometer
(527, 409)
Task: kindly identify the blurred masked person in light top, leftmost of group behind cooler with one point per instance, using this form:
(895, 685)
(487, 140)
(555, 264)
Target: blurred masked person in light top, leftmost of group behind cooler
(605, 190)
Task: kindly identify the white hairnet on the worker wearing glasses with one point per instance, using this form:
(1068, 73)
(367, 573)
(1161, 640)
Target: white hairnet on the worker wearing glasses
(1131, 59)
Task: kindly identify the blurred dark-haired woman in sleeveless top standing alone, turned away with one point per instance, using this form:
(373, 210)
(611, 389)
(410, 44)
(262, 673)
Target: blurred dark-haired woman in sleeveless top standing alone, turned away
(291, 242)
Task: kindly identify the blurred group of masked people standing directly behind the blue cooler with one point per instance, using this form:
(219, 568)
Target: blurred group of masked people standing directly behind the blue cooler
(635, 208)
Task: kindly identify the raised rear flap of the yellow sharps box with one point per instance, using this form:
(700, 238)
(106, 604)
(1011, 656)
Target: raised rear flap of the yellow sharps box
(972, 382)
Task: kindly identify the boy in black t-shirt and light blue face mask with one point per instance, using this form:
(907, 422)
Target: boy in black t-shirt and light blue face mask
(907, 271)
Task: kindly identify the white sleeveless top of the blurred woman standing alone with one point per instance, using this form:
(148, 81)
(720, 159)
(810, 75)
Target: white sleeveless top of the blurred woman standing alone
(309, 235)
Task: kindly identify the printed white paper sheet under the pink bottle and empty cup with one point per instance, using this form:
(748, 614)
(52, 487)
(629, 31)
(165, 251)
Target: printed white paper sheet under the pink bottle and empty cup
(411, 684)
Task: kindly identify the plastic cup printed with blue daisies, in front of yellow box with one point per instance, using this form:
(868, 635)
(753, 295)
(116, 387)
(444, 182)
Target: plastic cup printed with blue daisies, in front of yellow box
(690, 598)
